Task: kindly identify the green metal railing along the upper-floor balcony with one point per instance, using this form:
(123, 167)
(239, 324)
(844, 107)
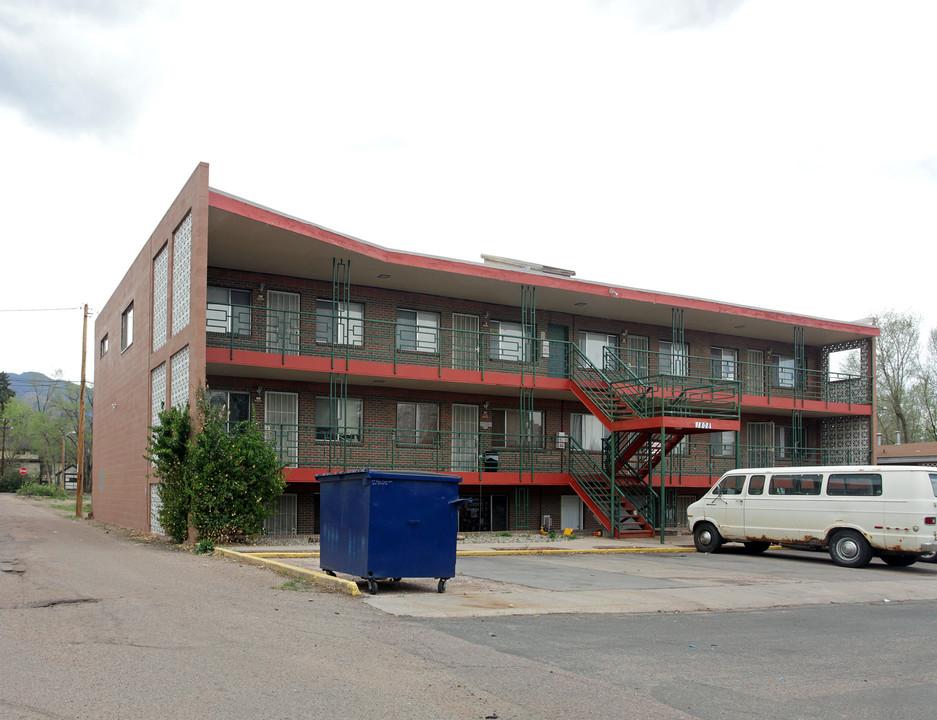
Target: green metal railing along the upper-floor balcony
(343, 337)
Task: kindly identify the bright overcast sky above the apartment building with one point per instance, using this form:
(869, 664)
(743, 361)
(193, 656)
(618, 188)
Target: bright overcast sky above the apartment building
(780, 154)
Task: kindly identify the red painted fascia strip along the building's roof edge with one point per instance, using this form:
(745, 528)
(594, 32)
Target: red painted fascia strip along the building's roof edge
(269, 217)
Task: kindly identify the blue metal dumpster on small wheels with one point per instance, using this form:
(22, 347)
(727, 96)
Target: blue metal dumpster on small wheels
(381, 524)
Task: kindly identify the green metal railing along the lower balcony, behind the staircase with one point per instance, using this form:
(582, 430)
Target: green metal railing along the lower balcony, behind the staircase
(349, 448)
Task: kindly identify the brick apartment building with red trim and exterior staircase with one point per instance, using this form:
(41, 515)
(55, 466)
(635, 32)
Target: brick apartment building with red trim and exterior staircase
(560, 402)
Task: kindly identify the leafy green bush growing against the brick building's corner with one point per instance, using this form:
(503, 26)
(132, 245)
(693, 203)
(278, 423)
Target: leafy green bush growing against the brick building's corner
(217, 480)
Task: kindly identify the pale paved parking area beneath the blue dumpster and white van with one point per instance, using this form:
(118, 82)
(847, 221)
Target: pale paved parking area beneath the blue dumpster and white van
(676, 580)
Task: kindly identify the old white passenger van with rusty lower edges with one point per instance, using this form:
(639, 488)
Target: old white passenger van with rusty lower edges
(856, 513)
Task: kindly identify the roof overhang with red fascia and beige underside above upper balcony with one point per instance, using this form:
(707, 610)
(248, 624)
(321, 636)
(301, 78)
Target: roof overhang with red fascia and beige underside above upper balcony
(241, 235)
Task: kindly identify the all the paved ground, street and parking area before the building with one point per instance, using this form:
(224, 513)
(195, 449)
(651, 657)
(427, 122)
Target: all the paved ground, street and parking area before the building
(95, 624)
